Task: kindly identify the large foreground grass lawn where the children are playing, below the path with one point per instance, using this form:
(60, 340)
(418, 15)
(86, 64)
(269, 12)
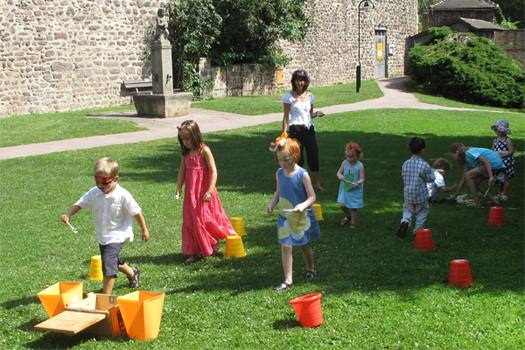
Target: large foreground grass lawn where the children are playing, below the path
(378, 292)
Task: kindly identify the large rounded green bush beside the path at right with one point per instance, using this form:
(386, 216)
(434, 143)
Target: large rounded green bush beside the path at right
(467, 68)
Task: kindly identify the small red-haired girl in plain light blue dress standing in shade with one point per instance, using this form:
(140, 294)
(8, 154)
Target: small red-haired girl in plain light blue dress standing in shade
(352, 176)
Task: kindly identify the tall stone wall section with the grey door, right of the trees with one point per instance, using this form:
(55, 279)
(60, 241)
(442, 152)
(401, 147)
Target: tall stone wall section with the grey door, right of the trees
(330, 52)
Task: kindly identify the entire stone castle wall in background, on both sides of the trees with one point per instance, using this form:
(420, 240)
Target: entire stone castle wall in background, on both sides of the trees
(63, 55)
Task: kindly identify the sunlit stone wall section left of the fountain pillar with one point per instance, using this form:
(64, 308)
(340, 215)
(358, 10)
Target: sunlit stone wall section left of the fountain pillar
(58, 55)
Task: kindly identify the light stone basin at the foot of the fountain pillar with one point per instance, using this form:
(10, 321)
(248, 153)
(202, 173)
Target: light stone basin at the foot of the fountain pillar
(163, 106)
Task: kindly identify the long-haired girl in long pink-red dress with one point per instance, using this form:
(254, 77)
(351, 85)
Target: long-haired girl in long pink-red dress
(204, 220)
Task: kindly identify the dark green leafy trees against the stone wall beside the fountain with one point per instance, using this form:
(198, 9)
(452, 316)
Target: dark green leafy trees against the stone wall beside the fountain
(231, 31)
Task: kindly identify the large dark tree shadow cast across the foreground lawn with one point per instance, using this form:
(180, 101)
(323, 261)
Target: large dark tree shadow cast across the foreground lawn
(371, 257)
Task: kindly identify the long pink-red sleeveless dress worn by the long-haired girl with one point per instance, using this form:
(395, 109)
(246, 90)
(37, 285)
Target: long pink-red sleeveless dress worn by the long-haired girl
(204, 223)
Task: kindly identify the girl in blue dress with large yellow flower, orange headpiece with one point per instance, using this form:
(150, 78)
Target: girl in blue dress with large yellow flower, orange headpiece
(297, 223)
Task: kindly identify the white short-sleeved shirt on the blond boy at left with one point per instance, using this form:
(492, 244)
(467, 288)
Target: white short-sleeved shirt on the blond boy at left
(112, 214)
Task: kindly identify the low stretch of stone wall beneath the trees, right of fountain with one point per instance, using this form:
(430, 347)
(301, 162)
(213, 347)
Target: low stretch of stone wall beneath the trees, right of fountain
(238, 79)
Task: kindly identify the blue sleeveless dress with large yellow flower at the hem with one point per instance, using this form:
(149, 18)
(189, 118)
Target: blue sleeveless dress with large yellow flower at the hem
(294, 228)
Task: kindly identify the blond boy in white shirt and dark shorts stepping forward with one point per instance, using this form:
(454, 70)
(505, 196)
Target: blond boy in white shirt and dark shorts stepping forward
(113, 211)
